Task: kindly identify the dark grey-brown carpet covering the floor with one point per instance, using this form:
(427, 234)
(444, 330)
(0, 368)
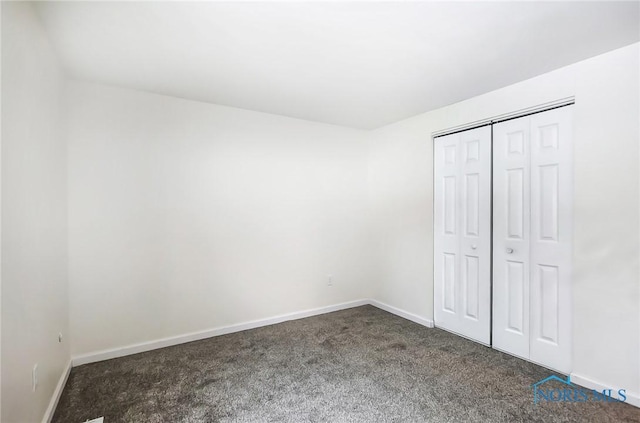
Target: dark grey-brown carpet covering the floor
(356, 365)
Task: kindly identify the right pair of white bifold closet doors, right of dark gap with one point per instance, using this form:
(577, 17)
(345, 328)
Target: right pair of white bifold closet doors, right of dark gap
(532, 224)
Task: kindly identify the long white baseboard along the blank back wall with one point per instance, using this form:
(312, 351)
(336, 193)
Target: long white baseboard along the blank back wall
(197, 336)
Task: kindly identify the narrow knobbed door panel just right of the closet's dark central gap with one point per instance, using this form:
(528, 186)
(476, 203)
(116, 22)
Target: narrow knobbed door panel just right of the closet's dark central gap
(511, 236)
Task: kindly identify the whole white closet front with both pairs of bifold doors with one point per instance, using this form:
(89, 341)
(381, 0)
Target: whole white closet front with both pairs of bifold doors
(502, 233)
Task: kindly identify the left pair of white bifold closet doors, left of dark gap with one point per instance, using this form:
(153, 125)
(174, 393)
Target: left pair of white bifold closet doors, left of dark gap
(462, 229)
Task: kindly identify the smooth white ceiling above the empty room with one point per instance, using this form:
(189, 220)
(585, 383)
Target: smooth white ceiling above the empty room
(358, 64)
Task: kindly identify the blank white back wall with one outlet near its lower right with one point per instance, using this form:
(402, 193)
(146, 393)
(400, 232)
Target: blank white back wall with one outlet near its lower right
(186, 216)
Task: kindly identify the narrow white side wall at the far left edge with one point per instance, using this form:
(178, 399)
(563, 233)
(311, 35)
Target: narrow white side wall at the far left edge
(34, 231)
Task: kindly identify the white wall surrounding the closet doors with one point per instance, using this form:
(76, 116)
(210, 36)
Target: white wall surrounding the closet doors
(606, 305)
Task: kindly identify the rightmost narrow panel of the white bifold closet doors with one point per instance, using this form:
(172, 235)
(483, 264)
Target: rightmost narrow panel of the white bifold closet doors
(551, 238)
